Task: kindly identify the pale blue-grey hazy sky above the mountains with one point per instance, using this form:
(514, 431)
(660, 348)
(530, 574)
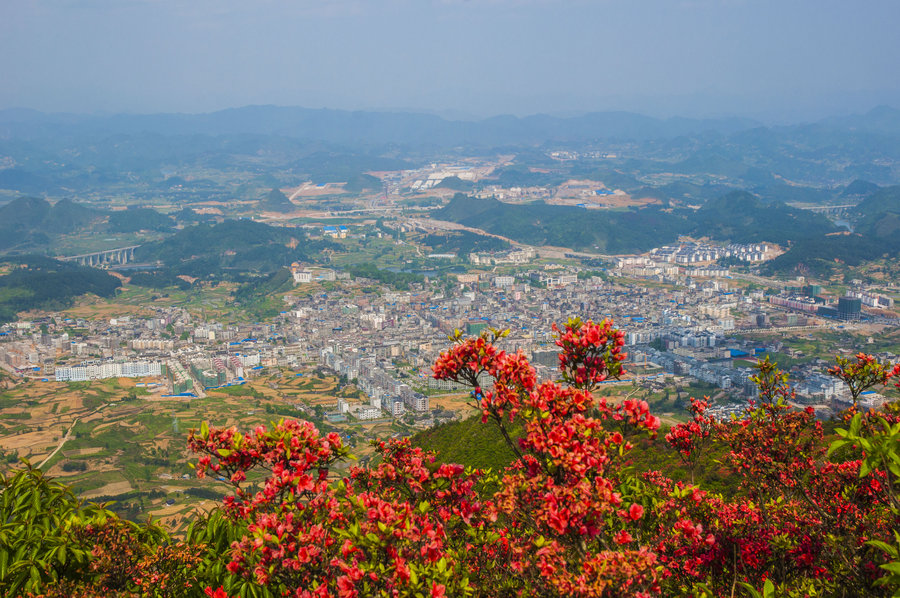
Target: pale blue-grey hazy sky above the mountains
(790, 59)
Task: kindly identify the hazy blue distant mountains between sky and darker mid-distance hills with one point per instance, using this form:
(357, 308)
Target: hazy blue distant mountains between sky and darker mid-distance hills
(678, 159)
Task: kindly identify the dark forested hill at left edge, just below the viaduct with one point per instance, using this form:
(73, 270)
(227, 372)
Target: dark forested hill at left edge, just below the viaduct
(35, 282)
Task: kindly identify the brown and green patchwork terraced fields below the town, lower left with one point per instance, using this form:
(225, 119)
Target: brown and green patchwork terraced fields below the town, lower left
(116, 441)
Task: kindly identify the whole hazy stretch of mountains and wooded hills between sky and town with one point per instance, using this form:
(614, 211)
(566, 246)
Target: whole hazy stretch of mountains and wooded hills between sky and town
(728, 179)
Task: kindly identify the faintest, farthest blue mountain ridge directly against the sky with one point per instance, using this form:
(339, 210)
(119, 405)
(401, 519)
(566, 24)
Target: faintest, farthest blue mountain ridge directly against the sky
(357, 127)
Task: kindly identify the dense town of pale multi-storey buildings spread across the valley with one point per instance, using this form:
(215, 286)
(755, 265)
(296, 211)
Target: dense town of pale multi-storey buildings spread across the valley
(386, 341)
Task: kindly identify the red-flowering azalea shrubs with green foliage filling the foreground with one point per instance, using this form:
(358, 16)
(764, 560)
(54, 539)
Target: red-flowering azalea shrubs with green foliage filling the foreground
(570, 516)
